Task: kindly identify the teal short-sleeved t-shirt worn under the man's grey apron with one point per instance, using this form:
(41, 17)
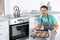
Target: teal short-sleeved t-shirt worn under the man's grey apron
(52, 19)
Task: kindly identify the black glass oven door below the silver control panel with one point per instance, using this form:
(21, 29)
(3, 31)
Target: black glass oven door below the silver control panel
(20, 30)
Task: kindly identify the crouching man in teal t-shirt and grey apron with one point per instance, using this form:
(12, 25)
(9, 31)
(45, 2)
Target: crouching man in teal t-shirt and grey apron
(48, 21)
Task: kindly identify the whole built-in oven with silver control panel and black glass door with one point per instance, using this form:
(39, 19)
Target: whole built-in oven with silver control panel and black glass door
(19, 28)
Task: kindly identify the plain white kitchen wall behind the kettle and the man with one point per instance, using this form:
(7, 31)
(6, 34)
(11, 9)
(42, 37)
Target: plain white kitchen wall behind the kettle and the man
(27, 5)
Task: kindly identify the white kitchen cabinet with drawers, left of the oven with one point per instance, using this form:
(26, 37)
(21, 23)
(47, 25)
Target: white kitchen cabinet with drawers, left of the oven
(4, 30)
